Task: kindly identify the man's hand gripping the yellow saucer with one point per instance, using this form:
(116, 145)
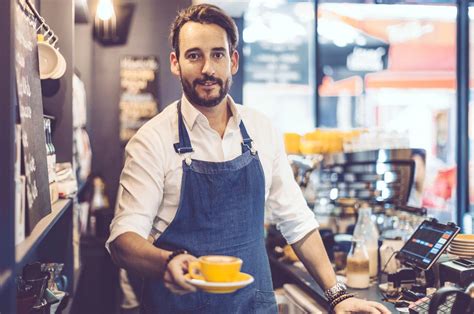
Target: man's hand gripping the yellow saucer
(174, 274)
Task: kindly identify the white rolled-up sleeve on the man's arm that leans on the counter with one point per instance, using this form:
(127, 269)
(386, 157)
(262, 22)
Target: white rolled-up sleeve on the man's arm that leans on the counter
(285, 203)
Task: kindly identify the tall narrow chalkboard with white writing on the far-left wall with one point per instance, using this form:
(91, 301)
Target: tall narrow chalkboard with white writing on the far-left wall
(31, 117)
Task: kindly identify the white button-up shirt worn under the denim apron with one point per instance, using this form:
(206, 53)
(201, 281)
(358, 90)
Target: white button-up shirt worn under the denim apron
(150, 183)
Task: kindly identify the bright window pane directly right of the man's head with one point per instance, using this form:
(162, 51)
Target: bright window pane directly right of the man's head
(278, 40)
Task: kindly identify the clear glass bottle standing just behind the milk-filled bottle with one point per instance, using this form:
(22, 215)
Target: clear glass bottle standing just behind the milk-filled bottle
(366, 231)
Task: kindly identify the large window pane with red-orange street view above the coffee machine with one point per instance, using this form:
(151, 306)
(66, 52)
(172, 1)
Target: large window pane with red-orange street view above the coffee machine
(393, 68)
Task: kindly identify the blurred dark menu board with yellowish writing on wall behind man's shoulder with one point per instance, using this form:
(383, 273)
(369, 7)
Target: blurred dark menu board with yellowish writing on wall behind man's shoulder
(138, 100)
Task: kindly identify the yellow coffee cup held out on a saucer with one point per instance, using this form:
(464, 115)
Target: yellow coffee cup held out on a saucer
(215, 268)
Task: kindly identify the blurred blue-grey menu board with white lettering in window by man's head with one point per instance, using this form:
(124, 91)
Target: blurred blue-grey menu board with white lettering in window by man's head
(278, 43)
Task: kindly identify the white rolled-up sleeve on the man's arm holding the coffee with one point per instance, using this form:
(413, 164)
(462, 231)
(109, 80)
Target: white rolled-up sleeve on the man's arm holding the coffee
(141, 188)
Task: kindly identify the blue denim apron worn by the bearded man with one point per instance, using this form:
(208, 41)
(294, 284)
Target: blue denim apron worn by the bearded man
(220, 212)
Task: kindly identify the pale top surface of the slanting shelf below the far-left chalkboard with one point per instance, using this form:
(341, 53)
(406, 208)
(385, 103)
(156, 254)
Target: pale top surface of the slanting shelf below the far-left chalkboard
(41, 230)
